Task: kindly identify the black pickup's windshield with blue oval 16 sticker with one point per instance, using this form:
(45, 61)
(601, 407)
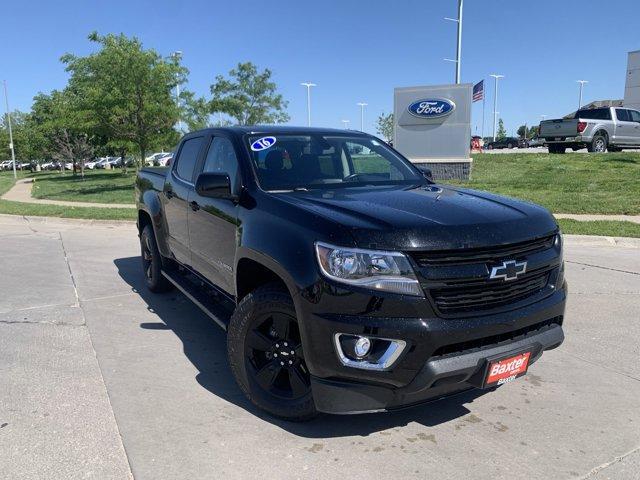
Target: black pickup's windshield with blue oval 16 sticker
(287, 162)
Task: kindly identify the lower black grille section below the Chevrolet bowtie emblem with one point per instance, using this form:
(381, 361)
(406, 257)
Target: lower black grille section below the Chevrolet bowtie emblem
(487, 294)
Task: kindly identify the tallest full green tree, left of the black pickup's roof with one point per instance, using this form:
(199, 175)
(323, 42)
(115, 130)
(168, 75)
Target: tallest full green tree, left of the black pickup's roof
(124, 94)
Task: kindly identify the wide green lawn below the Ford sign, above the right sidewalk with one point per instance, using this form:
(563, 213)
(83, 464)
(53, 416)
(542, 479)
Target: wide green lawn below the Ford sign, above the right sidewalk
(570, 183)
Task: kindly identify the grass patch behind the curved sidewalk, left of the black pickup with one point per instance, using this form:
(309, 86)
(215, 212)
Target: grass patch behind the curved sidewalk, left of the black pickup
(102, 186)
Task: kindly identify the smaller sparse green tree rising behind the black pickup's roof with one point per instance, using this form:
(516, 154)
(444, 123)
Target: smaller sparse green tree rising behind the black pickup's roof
(248, 96)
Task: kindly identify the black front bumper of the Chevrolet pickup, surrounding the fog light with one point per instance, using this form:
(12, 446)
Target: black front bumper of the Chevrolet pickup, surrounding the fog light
(443, 356)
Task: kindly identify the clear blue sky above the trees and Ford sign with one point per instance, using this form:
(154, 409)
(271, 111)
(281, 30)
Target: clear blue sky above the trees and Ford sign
(354, 50)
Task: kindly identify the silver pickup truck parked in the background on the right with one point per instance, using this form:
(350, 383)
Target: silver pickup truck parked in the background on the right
(596, 129)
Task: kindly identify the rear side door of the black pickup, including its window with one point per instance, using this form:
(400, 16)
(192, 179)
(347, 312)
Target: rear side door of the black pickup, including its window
(175, 197)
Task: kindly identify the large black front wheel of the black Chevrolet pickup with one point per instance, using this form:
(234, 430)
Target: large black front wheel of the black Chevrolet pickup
(265, 354)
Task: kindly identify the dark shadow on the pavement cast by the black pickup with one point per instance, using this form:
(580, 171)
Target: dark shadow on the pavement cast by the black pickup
(205, 346)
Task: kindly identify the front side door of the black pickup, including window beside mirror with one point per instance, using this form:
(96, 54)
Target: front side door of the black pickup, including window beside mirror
(213, 222)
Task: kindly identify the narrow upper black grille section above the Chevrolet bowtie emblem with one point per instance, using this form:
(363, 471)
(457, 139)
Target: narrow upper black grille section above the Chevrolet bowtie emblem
(485, 254)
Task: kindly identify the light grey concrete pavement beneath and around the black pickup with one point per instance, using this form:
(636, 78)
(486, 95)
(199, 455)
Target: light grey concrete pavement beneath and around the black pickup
(102, 379)
